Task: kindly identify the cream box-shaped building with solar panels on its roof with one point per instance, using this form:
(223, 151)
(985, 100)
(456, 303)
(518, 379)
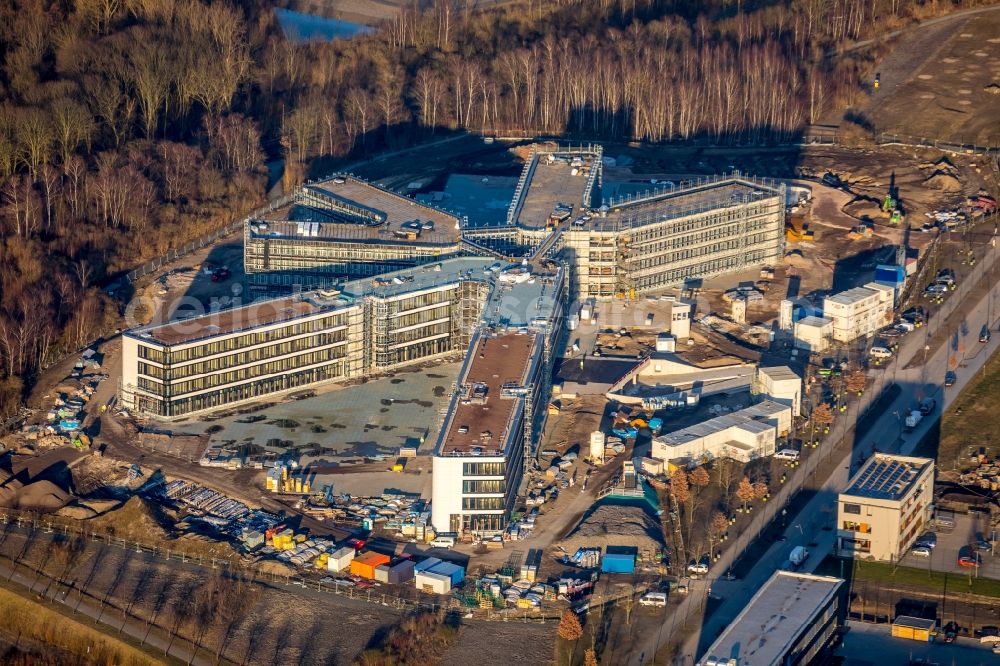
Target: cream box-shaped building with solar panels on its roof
(886, 506)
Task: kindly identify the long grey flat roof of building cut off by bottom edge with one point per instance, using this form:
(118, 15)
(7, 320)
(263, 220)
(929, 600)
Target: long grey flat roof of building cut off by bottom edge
(776, 616)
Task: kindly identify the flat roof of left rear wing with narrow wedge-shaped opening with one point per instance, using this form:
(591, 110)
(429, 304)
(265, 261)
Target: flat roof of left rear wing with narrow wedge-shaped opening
(346, 209)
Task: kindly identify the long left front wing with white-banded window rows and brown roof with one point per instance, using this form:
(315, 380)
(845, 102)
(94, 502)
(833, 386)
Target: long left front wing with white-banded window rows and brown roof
(364, 328)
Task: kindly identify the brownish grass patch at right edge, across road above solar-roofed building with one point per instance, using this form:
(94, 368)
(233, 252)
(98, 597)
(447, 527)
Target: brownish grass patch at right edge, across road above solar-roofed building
(971, 419)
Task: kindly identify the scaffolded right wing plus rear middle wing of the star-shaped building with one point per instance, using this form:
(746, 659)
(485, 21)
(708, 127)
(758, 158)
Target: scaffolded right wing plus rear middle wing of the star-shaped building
(666, 237)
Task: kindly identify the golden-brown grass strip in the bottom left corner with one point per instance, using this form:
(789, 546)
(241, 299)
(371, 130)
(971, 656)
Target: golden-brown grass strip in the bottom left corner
(62, 637)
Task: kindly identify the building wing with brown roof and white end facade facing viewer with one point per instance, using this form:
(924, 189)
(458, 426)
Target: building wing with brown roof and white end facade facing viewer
(491, 426)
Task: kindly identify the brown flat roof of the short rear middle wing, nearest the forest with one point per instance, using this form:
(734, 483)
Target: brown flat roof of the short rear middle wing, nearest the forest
(551, 181)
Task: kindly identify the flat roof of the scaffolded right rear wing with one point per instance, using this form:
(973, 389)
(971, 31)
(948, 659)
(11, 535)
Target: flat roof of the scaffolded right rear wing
(663, 204)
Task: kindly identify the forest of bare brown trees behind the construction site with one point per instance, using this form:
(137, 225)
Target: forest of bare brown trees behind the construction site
(128, 127)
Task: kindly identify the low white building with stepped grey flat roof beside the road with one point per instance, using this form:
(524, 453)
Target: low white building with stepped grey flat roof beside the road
(744, 435)
